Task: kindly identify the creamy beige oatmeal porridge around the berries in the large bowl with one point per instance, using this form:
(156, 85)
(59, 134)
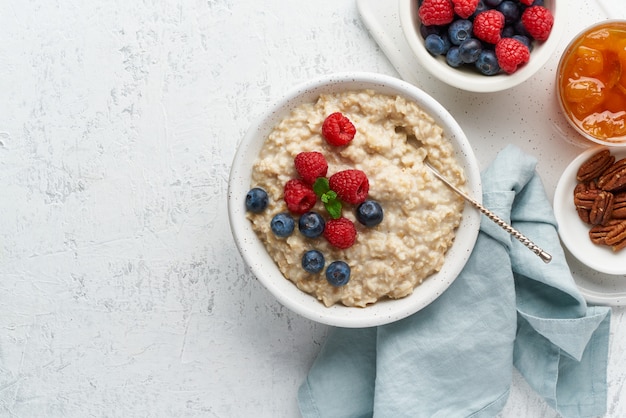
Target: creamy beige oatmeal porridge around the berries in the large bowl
(393, 138)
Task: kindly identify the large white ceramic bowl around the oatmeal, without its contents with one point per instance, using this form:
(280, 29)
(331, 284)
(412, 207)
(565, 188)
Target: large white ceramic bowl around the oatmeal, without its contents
(262, 265)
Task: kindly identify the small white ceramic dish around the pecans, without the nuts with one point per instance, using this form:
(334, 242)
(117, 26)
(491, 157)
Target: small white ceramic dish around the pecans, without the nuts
(574, 233)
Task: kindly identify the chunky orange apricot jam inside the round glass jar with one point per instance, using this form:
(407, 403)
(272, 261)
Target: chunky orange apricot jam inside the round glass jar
(592, 82)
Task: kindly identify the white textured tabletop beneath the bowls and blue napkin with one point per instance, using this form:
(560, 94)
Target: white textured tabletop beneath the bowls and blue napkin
(121, 291)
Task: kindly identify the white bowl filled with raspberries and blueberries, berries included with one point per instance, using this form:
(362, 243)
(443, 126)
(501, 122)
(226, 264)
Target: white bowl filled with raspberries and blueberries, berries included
(482, 46)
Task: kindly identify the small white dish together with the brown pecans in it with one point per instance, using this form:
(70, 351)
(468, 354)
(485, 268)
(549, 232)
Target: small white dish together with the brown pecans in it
(590, 207)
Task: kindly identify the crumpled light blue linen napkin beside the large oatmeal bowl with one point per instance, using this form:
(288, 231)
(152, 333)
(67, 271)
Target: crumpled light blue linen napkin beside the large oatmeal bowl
(507, 308)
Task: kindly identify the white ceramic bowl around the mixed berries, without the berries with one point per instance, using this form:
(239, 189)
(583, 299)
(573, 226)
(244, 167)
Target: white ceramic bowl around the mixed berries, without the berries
(467, 79)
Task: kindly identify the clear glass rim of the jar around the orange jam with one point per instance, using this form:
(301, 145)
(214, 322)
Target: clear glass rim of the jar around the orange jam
(575, 39)
